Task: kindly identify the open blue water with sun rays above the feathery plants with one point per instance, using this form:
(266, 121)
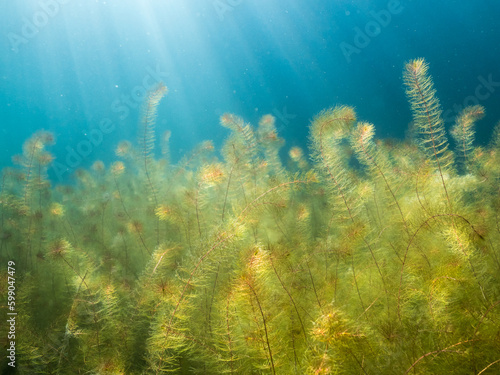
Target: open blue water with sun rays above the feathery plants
(79, 68)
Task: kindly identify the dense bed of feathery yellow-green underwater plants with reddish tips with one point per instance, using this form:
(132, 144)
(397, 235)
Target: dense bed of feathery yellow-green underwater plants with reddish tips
(371, 257)
